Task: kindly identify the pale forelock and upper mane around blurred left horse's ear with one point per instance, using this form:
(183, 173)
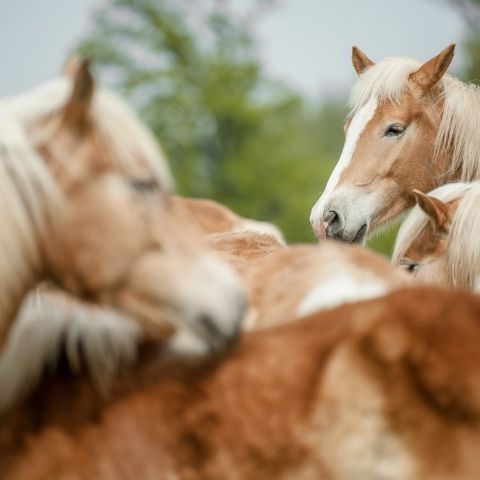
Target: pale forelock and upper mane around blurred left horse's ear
(129, 139)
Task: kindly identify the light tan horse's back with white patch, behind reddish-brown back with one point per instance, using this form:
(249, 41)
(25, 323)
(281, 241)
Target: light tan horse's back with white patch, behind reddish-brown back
(286, 283)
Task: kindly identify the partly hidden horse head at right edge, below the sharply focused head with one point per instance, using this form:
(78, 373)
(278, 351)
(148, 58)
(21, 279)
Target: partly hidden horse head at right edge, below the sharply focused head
(438, 242)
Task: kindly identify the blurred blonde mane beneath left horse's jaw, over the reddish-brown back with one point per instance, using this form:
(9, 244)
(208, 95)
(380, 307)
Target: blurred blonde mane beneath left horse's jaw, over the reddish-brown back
(98, 341)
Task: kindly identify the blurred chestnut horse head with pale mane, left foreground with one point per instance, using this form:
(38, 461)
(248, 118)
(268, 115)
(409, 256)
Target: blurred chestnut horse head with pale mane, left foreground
(102, 226)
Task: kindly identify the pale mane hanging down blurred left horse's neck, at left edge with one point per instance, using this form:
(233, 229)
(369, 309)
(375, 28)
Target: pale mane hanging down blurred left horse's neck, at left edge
(28, 199)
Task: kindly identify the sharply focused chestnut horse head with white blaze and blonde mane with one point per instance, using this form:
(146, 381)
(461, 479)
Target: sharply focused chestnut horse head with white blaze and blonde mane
(411, 126)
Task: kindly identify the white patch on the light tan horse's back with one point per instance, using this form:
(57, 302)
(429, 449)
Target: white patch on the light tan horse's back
(342, 288)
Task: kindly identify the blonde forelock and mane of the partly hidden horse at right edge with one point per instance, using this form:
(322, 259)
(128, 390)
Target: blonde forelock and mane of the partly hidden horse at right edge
(463, 254)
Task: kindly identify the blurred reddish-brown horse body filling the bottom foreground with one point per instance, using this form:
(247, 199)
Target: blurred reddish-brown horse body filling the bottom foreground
(388, 388)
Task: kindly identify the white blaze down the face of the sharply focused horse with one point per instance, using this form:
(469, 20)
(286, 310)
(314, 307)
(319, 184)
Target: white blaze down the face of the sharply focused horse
(357, 125)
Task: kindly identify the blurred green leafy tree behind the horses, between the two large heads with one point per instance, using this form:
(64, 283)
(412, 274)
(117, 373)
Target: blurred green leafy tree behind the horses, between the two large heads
(230, 132)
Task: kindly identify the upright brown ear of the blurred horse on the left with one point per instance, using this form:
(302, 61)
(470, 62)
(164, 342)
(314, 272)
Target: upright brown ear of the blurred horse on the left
(78, 105)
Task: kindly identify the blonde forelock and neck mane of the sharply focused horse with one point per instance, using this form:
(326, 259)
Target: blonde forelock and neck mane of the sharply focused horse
(460, 125)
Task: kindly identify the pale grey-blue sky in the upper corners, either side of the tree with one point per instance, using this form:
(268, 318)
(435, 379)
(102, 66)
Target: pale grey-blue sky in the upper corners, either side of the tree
(306, 43)
